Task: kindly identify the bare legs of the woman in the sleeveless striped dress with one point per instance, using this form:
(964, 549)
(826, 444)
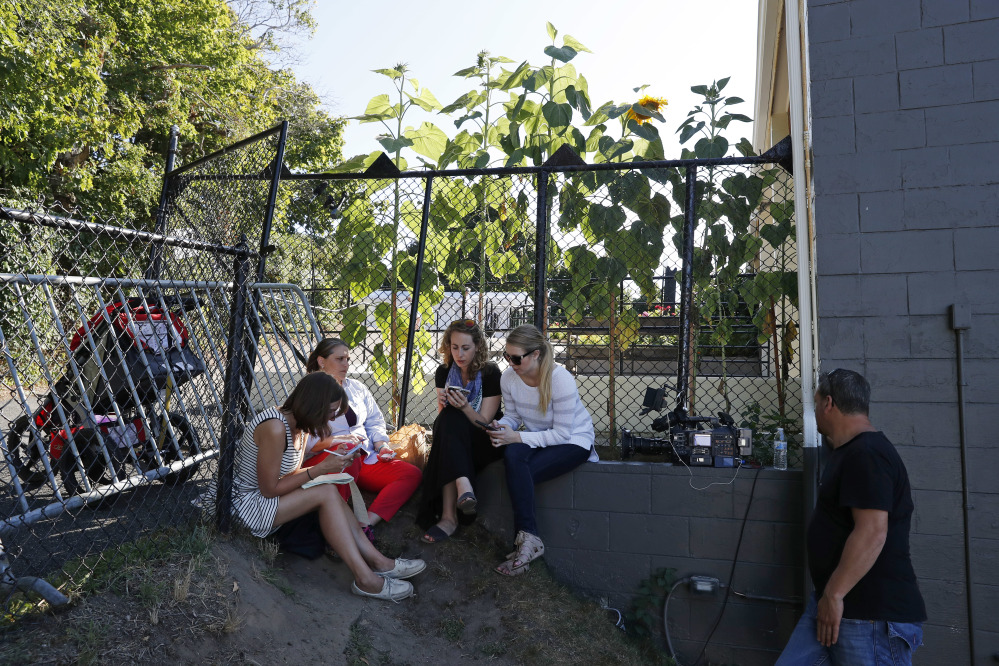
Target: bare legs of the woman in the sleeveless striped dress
(340, 529)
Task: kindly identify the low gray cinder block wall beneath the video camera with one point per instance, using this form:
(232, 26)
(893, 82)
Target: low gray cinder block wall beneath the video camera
(608, 525)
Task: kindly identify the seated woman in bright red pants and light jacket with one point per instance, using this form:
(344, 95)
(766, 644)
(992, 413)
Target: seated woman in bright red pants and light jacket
(378, 471)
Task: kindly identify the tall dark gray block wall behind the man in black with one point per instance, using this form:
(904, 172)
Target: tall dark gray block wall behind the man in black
(905, 137)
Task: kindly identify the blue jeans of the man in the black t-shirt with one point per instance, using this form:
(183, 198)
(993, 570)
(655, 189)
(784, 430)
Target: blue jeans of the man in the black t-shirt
(860, 642)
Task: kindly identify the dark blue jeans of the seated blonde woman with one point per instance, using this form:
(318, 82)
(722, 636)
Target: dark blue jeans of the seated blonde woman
(527, 467)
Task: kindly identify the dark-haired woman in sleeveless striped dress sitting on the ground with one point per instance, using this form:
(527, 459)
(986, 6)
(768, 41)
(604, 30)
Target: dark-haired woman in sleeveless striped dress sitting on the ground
(268, 480)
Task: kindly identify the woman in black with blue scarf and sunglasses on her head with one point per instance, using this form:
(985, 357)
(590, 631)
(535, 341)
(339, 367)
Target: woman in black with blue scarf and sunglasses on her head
(468, 390)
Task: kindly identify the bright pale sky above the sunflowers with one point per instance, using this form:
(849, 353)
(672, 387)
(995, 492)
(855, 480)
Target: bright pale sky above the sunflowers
(669, 44)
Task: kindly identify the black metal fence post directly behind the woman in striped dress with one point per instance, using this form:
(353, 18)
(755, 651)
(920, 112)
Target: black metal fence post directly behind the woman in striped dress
(234, 405)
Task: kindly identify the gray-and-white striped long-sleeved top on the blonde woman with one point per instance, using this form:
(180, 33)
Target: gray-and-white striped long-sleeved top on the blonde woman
(566, 420)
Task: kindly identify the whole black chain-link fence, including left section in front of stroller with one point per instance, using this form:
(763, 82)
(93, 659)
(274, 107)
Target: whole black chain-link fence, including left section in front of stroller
(132, 357)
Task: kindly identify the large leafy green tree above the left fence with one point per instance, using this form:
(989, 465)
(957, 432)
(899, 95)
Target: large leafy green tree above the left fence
(91, 90)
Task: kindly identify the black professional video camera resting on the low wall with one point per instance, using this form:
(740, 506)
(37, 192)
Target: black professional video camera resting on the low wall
(695, 440)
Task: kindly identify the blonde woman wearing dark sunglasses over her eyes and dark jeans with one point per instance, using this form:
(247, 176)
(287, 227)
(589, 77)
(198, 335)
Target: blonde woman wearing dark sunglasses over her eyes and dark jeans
(557, 434)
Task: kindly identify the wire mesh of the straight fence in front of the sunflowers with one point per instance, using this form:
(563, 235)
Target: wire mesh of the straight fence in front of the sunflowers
(612, 293)
